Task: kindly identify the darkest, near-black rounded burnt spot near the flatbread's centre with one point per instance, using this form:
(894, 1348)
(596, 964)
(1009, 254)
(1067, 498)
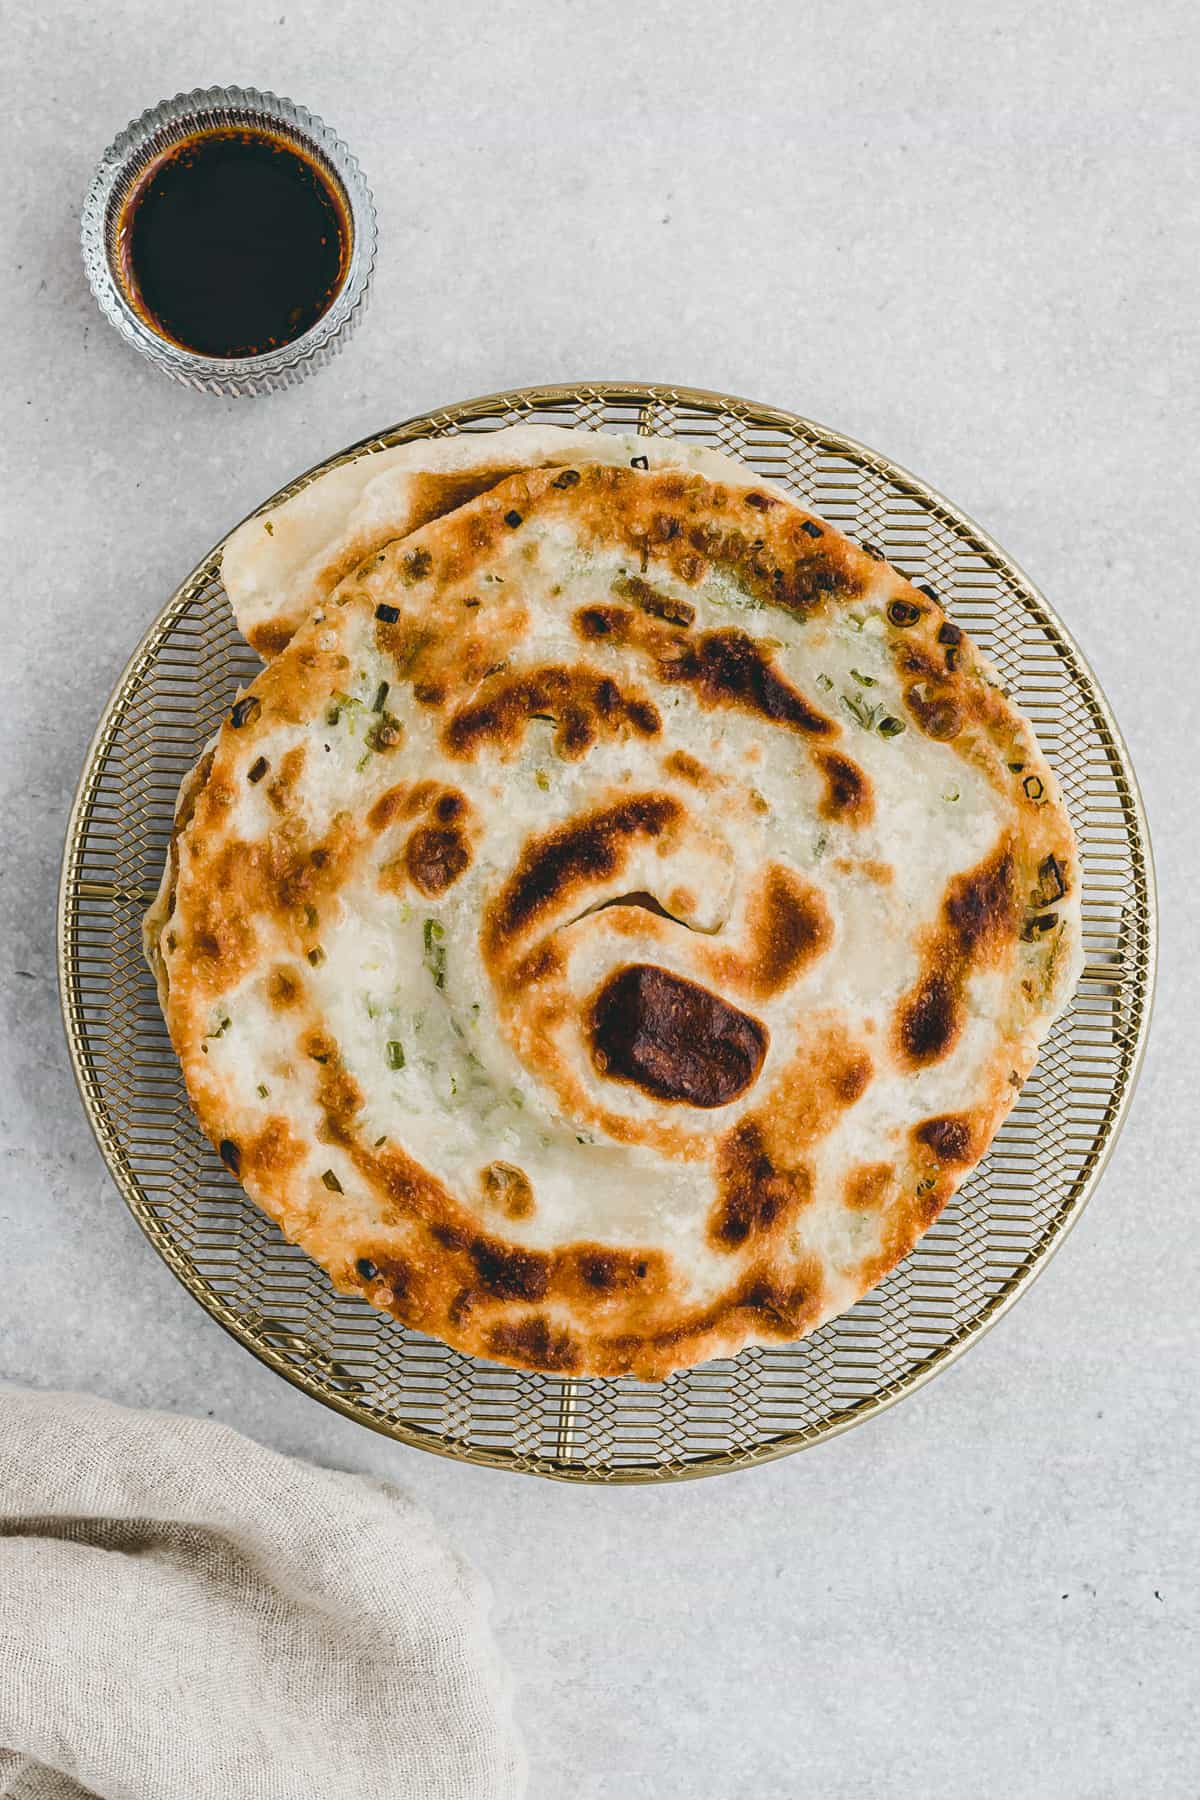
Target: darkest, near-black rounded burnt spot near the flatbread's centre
(674, 1039)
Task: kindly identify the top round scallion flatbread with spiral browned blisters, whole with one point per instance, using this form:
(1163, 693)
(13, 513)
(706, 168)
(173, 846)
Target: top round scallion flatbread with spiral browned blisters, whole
(618, 921)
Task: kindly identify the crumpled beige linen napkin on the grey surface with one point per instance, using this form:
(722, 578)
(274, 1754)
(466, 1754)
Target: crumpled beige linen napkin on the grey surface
(186, 1615)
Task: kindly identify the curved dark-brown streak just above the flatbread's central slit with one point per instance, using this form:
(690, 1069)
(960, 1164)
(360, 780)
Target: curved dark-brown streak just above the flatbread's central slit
(571, 859)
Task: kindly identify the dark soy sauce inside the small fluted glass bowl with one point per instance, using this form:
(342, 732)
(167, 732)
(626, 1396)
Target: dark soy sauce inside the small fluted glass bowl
(235, 244)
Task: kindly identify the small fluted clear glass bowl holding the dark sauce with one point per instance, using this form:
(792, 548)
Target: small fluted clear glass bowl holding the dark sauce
(125, 165)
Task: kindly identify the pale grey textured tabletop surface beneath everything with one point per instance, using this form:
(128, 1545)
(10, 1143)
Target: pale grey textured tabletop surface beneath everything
(965, 235)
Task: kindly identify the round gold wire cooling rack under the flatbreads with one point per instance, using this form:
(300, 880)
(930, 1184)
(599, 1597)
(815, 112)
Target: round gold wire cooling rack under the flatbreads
(967, 1270)
